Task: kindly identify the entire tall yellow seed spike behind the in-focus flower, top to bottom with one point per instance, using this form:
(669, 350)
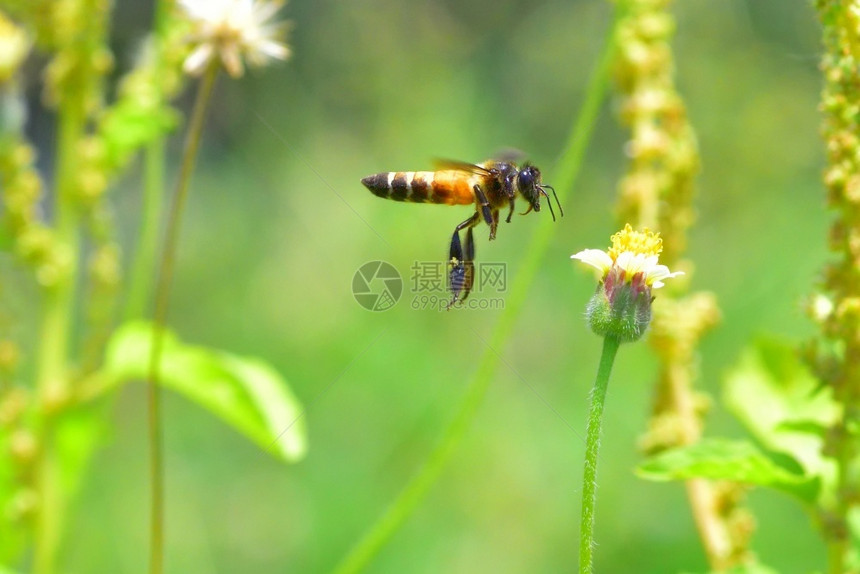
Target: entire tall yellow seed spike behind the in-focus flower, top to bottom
(657, 192)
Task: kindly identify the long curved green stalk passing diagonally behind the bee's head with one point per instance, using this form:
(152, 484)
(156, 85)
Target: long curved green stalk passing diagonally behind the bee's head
(566, 175)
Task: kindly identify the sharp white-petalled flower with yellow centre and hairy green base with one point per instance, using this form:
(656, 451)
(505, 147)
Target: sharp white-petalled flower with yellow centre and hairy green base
(628, 271)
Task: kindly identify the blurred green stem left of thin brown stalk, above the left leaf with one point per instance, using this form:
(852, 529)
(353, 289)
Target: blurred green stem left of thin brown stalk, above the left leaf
(140, 283)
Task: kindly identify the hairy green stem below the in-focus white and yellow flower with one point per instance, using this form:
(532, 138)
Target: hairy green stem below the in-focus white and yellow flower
(592, 447)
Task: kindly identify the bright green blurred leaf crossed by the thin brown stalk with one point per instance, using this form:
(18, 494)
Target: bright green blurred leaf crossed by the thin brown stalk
(245, 392)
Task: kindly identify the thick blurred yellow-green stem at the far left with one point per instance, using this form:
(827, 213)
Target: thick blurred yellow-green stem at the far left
(56, 330)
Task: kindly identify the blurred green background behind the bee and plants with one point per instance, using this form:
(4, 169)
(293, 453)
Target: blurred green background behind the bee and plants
(278, 224)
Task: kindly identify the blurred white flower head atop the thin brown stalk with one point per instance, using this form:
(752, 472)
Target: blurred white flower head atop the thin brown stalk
(234, 31)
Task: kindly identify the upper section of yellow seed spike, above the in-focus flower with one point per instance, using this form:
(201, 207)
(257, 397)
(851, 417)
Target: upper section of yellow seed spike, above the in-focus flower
(662, 146)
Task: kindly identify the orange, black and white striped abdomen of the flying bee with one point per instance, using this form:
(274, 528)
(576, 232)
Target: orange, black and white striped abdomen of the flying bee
(443, 187)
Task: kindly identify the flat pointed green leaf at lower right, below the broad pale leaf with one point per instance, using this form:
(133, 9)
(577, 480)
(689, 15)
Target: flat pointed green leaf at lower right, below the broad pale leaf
(736, 461)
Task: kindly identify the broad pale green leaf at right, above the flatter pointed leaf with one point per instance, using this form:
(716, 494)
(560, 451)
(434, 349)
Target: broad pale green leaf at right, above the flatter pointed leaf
(772, 392)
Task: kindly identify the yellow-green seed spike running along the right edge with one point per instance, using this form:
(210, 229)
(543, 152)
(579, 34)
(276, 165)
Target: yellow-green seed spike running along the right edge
(834, 355)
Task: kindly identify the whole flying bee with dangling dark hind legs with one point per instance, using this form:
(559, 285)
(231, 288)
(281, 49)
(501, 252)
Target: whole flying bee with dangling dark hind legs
(489, 186)
